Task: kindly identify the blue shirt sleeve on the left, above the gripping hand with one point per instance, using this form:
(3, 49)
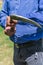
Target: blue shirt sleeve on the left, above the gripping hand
(4, 13)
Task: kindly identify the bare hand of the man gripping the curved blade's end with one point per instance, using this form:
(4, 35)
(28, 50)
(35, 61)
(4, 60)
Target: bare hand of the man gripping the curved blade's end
(10, 28)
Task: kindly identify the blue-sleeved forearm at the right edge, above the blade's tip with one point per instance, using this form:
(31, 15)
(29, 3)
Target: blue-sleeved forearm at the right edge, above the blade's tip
(37, 16)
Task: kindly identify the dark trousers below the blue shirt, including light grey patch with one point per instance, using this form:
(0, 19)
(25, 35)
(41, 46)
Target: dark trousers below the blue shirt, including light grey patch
(31, 55)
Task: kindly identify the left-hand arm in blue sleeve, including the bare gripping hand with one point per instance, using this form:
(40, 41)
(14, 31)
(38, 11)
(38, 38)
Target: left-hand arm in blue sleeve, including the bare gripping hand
(5, 20)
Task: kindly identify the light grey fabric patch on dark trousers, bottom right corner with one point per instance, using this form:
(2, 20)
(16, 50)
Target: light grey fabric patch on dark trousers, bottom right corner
(35, 59)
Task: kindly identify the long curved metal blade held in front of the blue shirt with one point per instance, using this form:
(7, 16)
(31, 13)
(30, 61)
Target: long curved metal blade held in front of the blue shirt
(24, 19)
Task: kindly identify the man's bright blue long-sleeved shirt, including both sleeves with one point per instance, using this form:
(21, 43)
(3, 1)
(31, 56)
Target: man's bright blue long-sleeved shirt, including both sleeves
(32, 9)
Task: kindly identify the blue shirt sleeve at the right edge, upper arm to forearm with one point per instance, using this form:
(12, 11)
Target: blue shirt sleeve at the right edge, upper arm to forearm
(38, 15)
